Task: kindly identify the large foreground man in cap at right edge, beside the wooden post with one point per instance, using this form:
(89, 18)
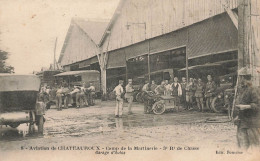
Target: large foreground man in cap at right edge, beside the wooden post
(248, 119)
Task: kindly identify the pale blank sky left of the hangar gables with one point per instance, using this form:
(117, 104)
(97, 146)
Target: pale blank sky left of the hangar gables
(28, 28)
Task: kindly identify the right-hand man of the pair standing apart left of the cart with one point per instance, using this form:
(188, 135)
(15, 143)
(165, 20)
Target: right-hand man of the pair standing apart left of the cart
(129, 95)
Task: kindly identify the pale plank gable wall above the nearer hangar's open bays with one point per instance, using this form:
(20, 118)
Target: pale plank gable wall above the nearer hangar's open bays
(160, 17)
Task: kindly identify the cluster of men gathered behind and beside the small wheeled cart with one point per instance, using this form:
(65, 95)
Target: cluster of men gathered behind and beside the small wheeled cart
(186, 93)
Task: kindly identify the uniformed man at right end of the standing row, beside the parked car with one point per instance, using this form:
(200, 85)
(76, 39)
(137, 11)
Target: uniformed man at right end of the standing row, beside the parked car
(210, 91)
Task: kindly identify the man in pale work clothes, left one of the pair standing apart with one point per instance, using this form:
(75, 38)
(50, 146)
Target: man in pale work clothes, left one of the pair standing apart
(119, 100)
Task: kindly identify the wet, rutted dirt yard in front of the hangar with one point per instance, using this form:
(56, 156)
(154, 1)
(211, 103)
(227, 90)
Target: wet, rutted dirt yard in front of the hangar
(97, 126)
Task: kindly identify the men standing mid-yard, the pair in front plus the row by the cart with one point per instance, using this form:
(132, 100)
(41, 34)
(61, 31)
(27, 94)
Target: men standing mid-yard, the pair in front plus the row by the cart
(185, 93)
